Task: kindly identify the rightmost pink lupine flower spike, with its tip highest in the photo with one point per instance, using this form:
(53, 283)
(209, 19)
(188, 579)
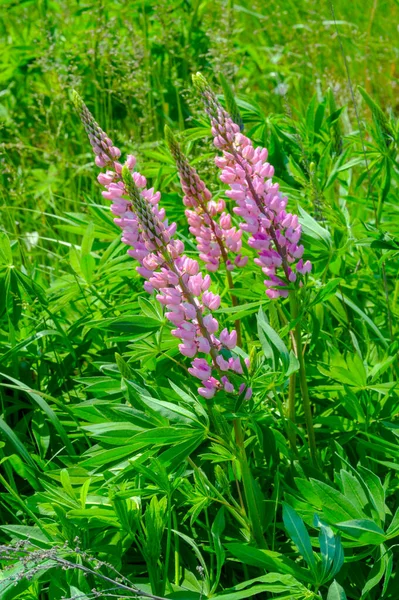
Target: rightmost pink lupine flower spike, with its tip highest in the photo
(274, 232)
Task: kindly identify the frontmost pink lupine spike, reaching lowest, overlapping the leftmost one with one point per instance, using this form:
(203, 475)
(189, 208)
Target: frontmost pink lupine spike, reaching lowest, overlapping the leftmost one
(181, 287)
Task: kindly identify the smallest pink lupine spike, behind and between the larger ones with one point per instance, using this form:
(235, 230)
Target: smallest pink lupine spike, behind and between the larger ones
(217, 239)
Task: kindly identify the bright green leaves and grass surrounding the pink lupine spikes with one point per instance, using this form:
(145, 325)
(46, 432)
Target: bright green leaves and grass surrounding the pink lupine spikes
(104, 441)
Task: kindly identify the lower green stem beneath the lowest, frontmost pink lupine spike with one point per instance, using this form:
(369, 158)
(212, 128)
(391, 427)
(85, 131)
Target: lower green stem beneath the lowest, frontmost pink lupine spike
(253, 513)
